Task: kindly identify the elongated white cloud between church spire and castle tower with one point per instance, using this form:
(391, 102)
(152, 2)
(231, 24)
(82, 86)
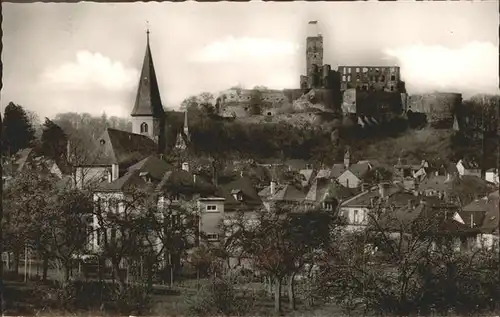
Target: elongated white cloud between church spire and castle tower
(239, 49)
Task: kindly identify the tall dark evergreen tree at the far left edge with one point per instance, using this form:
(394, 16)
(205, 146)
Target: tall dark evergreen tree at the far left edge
(18, 131)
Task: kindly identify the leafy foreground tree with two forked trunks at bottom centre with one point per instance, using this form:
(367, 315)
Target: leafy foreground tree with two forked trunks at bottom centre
(281, 242)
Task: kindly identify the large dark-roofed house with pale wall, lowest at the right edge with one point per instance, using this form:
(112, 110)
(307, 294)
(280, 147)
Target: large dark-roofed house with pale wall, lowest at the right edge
(483, 214)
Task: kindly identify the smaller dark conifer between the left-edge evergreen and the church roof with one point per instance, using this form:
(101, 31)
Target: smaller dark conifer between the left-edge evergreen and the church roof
(54, 140)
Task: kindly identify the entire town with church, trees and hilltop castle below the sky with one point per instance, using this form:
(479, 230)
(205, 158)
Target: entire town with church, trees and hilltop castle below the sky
(262, 217)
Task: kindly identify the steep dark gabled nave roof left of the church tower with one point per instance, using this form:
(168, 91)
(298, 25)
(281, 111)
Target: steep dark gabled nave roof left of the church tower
(124, 148)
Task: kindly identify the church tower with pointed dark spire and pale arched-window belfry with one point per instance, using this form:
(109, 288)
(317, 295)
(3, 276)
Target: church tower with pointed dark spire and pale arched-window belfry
(148, 116)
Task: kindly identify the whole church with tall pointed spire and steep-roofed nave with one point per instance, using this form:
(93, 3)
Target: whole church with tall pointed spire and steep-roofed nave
(118, 150)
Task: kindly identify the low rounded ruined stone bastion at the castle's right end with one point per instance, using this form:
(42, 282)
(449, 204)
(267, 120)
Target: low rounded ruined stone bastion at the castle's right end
(439, 107)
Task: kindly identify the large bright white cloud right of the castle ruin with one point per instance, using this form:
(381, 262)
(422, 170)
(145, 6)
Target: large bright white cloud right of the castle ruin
(472, 67)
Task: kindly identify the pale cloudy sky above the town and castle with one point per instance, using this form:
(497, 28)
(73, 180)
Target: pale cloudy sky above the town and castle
(86, 57)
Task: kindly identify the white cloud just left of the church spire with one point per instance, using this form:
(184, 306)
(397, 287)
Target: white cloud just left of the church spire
(90, 71)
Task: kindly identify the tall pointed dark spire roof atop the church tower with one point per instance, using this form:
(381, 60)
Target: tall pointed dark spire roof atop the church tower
(148, 101)
